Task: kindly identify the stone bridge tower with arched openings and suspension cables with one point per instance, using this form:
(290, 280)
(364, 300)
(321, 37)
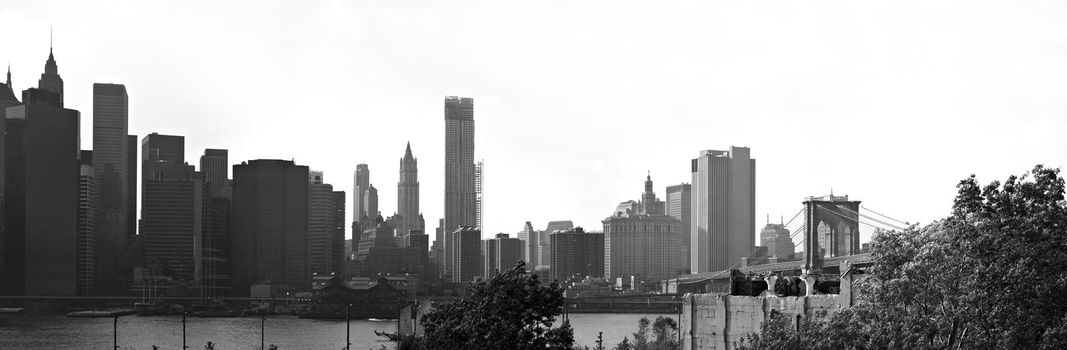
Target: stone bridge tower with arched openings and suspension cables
(832, 229)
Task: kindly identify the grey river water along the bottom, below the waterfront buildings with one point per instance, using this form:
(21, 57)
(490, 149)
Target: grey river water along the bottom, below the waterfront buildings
(288, 332)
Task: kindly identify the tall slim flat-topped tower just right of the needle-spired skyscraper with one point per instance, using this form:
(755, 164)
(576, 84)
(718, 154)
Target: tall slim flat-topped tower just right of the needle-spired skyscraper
(110, 163)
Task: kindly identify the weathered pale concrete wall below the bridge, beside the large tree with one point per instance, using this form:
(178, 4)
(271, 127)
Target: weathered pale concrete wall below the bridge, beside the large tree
(721, 322)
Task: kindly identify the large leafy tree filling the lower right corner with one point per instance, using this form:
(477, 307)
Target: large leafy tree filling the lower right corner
(992, 276)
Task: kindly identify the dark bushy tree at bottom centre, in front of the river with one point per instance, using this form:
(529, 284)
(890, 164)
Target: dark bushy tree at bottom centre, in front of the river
(511, 311)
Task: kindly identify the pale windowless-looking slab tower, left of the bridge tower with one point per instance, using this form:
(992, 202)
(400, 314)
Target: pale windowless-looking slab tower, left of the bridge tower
(724, 210)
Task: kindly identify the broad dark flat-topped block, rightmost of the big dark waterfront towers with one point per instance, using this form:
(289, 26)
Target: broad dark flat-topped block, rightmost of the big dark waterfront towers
(270, 226)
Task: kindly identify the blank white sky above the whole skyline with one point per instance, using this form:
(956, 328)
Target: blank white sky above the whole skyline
(893, 103)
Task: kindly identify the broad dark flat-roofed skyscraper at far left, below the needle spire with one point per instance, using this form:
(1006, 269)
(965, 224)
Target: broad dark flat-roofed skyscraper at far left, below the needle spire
(42, 185)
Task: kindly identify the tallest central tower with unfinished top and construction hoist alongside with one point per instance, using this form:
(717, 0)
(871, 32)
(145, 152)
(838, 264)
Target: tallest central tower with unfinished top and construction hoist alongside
(459, 170)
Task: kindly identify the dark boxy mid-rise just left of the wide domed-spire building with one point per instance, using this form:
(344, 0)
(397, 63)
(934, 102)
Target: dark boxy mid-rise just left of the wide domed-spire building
(577, 254)
